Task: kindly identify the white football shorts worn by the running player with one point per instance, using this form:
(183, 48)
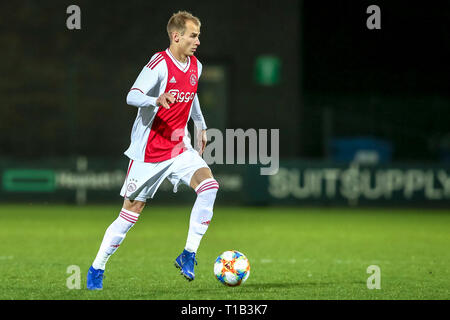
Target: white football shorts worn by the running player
(144, 178)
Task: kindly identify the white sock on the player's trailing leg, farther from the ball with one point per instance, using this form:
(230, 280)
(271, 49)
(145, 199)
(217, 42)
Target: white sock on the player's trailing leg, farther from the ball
(114, 236)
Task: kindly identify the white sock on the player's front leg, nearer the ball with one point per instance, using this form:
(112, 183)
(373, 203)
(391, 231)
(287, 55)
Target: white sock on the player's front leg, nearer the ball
(202, 213)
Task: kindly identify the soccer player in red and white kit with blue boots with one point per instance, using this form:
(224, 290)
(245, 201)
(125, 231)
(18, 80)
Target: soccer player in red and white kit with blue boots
(165, 94)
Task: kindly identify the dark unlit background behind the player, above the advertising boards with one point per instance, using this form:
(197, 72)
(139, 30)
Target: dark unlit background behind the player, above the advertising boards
(63, 91)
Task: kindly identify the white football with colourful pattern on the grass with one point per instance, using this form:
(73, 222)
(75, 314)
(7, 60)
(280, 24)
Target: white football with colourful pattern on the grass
(232, 268)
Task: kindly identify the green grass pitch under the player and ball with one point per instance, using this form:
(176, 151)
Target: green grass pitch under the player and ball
(294, 253)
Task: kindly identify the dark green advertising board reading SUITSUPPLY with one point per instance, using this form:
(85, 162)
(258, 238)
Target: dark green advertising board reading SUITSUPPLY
(320, 183)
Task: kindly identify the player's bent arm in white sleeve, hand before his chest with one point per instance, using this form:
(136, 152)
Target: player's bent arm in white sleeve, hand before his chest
(150, 77)
